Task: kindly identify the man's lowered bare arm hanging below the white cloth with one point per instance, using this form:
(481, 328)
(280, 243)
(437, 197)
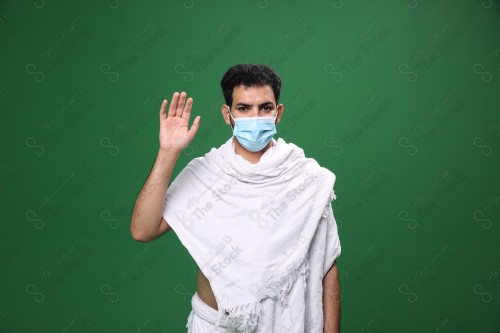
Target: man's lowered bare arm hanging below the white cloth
(331, 300)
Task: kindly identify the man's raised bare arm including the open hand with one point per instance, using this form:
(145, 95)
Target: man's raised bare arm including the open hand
(147, 222)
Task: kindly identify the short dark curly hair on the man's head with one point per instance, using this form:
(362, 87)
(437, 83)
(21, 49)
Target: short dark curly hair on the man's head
(250, 75)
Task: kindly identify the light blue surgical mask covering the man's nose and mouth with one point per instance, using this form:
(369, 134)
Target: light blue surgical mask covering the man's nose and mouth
(254, 133)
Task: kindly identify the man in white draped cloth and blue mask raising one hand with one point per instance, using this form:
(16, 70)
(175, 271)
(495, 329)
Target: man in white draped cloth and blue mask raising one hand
(224, 234)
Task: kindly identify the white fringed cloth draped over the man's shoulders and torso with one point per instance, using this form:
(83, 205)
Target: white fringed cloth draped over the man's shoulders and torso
(263, 234)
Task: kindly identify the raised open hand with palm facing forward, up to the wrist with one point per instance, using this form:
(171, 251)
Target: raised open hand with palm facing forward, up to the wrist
(174, 133)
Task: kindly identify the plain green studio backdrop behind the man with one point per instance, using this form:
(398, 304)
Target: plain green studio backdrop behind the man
(400, 100)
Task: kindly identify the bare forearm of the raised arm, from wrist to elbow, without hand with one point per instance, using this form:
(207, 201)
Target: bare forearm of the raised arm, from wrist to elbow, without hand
(149, 205)
